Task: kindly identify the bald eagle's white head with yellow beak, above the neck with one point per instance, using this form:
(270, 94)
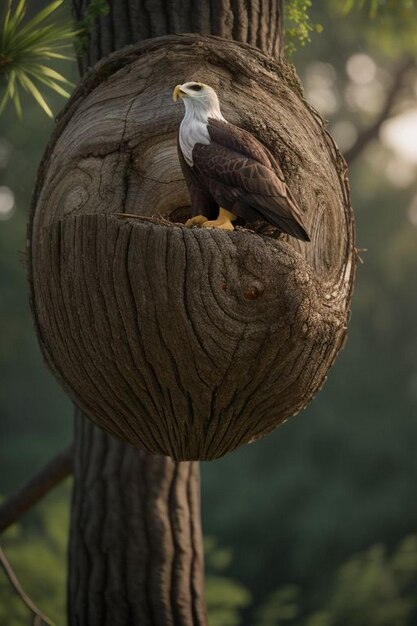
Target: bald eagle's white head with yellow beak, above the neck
(200, 101)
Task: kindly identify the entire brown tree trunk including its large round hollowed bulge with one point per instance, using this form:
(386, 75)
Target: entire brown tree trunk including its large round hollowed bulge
(135, 517)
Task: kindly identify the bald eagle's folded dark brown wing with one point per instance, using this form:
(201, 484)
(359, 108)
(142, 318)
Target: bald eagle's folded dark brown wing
(240, 176)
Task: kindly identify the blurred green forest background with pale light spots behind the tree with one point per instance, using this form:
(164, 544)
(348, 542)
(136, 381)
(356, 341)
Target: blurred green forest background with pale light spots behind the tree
(316, 524)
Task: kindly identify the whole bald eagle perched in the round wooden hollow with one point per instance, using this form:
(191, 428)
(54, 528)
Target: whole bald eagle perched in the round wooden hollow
(228, 172)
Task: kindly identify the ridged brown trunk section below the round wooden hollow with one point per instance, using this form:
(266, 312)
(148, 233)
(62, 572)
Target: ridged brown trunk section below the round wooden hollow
(136, 546)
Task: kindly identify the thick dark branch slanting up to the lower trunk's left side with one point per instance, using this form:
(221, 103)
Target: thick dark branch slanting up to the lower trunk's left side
(51, 475)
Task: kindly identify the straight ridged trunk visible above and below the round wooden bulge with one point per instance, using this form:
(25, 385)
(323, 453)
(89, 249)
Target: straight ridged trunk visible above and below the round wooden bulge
(136, 553)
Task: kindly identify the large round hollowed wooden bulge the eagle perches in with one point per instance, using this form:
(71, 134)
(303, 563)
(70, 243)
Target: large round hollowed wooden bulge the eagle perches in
(187, 342)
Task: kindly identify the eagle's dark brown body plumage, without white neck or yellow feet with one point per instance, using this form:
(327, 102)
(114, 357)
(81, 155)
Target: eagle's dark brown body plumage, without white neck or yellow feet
(232, 170)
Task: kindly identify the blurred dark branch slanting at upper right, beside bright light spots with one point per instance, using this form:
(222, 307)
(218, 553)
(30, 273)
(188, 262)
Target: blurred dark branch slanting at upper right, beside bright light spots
(368, 134)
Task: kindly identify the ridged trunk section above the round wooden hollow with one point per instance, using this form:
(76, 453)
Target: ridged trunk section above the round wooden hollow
(255, 22)
